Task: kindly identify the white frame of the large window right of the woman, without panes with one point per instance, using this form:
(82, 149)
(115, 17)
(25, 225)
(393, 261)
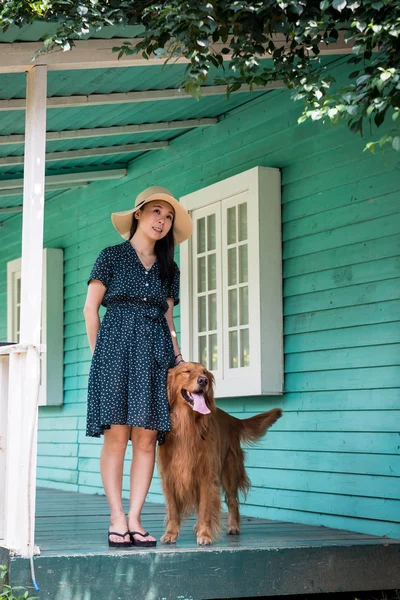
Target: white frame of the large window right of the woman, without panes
(261, 186)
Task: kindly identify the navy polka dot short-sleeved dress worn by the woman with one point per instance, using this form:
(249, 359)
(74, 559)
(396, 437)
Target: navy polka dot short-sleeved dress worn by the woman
(133, 352)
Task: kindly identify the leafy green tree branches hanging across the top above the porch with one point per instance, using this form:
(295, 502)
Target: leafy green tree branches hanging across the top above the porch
(290, 33)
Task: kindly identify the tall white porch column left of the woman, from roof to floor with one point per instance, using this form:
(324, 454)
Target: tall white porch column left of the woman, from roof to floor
(24, 361)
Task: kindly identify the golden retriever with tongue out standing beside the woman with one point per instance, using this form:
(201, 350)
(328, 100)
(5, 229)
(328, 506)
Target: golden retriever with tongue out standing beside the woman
(202, 454)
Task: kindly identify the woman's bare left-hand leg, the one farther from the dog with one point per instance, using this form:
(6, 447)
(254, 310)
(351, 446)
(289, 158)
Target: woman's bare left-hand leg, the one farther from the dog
(111, 468)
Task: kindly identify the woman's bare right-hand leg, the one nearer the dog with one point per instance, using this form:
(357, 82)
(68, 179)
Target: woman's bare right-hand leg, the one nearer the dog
(142, 468)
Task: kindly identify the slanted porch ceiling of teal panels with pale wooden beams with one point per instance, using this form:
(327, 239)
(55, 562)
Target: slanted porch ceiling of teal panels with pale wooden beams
(99, 95)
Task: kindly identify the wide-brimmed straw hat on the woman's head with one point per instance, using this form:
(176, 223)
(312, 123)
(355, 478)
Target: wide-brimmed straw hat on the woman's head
(183, 225)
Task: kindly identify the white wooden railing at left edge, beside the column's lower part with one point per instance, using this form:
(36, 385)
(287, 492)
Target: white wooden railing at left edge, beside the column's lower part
(19, 389)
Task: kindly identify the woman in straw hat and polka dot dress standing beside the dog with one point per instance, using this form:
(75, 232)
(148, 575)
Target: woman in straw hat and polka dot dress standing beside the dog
(138, 282)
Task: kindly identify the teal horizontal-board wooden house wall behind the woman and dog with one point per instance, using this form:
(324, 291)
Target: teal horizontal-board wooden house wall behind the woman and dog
(333, 458)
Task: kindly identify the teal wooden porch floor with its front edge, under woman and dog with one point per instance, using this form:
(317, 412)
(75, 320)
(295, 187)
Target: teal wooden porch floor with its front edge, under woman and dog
(269, 558)
